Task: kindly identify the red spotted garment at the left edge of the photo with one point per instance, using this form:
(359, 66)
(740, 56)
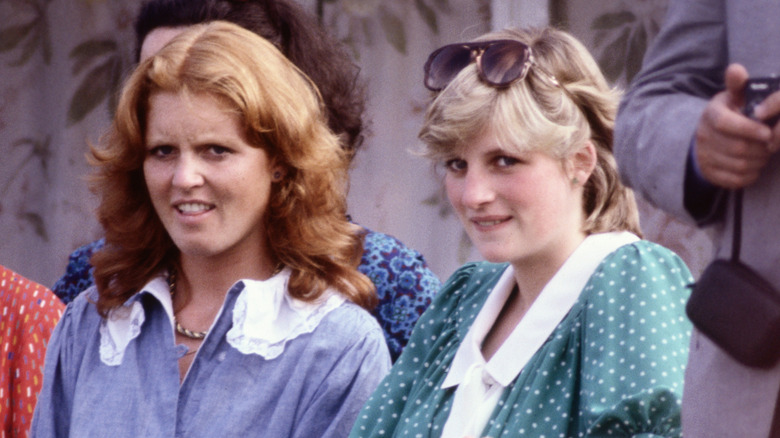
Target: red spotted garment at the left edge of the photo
(28, 314)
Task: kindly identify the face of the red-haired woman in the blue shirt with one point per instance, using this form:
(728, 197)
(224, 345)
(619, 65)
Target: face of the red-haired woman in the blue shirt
(209, 187)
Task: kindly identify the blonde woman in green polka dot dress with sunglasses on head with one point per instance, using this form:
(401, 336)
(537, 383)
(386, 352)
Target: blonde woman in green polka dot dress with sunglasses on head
(573, 326)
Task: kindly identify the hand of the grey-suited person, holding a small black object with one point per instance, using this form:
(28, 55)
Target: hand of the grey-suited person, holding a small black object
(732, 149)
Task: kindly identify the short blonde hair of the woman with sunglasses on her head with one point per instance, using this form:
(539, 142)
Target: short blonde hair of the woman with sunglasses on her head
(538, 114)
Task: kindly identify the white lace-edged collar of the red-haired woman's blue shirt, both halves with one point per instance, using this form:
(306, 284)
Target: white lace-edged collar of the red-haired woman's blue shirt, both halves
(265, 317)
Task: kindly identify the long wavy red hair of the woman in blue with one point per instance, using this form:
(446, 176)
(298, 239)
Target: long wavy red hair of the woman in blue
(306, 223)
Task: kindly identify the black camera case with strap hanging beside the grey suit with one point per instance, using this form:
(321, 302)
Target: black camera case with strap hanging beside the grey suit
(736, 308)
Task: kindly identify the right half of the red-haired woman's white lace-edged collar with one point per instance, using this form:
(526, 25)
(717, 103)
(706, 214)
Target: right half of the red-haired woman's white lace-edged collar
(265, 317)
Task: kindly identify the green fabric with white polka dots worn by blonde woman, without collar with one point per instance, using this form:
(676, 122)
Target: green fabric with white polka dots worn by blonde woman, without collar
(613, 367)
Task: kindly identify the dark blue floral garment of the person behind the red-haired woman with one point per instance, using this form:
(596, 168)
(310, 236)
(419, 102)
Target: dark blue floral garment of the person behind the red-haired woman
(404, 284)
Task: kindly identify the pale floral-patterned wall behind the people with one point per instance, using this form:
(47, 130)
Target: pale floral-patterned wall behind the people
(62, 60)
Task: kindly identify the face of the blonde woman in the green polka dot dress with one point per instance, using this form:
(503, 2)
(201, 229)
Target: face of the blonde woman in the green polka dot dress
(515, 207)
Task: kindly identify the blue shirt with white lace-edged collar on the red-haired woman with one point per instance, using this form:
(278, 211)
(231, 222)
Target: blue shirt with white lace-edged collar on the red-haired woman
(120, 377)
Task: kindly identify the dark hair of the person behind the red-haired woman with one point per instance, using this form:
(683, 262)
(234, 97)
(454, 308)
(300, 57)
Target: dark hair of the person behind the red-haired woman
(296, 33)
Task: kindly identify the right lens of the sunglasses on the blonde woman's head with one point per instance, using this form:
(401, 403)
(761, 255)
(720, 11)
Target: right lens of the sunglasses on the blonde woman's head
(504, 62)
